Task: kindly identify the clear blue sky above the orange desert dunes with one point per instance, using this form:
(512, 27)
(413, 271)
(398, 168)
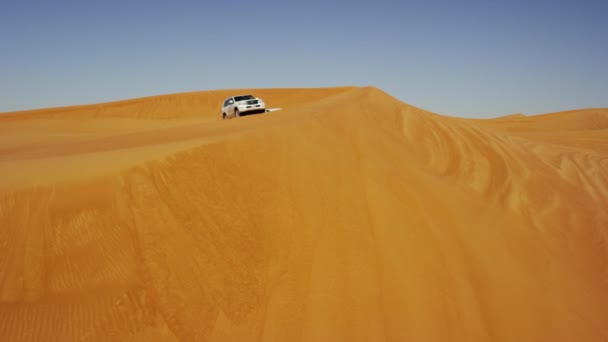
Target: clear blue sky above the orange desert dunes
(474, 58)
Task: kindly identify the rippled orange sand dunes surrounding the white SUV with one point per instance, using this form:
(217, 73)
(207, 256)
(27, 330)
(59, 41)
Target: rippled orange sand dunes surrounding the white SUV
(347, 216)
